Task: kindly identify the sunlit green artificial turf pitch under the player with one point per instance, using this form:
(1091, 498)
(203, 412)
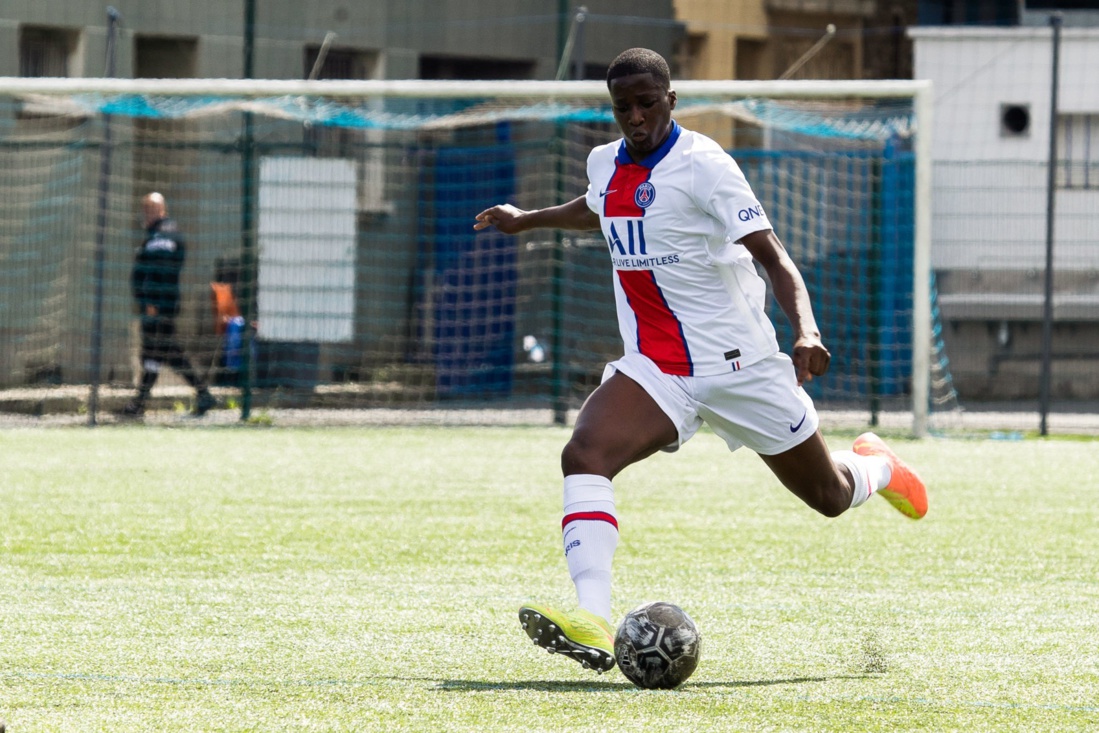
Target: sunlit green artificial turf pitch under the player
(369, 580)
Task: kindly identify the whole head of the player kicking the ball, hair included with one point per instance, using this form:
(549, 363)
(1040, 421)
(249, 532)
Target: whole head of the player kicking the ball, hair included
(640, 84)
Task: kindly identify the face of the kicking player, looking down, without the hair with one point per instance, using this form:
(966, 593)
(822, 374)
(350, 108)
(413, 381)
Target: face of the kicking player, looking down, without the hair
(643, 113)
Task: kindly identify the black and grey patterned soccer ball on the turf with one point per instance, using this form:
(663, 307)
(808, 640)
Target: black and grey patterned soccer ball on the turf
(658, 646)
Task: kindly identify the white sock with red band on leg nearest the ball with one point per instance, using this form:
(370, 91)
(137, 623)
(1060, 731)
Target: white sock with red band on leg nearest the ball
(590, 532)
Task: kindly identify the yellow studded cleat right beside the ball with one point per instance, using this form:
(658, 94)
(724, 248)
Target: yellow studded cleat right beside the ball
(579, 635)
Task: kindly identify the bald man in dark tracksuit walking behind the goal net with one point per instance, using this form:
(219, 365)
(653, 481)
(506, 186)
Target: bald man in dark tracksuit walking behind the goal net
(156, 286)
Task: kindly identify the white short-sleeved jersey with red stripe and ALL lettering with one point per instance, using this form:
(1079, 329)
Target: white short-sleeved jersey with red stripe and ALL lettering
(689, 296)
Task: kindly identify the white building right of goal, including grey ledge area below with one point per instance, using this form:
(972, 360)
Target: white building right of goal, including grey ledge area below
(994, 208)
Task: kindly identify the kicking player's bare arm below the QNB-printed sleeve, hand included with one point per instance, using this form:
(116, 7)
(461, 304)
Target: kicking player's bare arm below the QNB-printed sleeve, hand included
(811, 357)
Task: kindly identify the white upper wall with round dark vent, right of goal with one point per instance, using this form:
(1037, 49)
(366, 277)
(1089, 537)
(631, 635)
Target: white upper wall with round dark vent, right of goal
(990, 192)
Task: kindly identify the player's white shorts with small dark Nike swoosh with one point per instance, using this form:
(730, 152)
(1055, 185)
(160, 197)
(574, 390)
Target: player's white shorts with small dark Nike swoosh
(760, 407)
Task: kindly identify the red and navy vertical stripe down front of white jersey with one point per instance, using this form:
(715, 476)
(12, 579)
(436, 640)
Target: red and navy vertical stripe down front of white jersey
(660, 334)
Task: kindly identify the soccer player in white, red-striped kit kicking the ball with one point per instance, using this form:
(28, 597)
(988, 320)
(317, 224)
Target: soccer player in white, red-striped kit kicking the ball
(685, 232)
